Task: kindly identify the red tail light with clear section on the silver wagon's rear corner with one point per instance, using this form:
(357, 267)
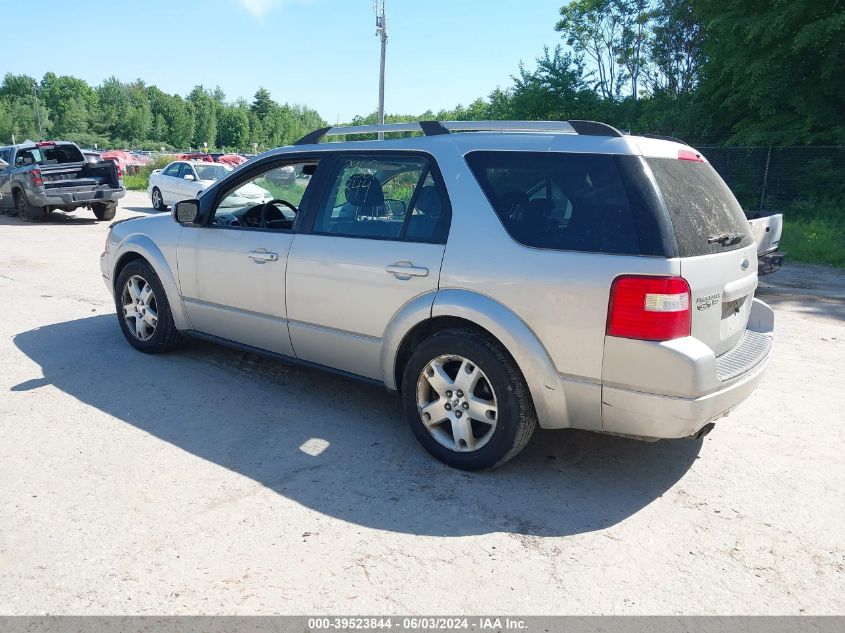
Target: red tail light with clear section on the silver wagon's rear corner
(649, 308)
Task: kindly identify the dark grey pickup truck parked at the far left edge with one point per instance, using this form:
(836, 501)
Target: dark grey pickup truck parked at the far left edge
(36, 178)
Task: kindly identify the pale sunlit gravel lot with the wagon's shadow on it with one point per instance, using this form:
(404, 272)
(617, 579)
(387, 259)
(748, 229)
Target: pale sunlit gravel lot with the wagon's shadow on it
(213, 481)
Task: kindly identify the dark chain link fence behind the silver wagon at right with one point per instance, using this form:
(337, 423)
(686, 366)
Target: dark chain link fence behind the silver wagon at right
(802, 180)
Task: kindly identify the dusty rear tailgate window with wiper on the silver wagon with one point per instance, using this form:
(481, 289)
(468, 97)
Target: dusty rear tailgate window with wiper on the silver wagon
(706, 215)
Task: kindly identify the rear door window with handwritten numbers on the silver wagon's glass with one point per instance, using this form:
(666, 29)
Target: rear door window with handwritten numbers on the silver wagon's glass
(383, 197)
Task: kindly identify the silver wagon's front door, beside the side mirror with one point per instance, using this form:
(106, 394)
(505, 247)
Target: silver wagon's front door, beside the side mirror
(232, 269)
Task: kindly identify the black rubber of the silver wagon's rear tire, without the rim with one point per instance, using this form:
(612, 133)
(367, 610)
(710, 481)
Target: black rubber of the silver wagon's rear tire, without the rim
(516, 419)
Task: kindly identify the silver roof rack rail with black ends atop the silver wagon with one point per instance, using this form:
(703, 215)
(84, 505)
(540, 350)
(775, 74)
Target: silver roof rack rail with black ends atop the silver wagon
(435, 128)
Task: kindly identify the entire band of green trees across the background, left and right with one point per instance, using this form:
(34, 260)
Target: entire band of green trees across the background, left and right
(758, 72)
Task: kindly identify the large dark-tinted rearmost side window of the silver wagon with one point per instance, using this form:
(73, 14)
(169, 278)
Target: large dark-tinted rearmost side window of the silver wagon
(569, 202)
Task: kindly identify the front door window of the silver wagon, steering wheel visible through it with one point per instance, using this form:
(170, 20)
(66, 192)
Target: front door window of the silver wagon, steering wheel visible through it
(269, 199)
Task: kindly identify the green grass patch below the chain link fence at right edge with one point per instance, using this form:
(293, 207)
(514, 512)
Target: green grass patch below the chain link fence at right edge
(815, 240)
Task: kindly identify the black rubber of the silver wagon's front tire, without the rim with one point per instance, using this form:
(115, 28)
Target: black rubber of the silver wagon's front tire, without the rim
(165, 336)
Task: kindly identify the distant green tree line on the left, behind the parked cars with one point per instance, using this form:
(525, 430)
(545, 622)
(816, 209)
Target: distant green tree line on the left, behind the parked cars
(140, 116)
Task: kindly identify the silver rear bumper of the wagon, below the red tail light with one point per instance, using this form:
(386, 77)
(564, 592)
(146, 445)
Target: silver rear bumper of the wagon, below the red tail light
(736, 374)
